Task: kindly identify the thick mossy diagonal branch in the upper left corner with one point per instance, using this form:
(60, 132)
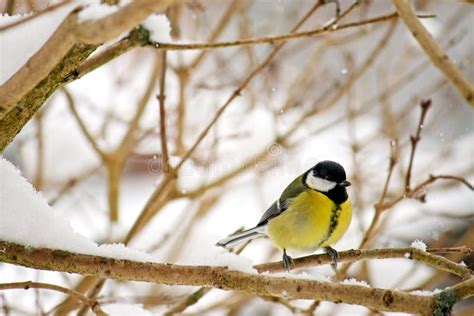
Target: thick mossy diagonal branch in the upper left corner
(72, 42)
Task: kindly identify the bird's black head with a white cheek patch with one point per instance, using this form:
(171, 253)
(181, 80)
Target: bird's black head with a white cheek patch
(328, 177)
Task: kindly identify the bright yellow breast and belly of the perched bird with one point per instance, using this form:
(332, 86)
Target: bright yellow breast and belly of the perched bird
(311, 221)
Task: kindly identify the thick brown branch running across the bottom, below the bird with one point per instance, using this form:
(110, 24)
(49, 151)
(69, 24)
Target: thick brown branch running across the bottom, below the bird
(223, 278)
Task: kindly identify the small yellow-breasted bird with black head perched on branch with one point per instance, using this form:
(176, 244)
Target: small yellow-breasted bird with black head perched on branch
(313, 212)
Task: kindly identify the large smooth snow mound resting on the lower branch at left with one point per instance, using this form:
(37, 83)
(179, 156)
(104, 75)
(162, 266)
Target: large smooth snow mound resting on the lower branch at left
(27, 219)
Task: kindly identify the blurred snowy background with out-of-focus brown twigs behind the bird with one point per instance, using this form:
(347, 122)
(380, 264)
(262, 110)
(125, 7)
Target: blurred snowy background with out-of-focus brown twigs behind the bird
(344, 96)
